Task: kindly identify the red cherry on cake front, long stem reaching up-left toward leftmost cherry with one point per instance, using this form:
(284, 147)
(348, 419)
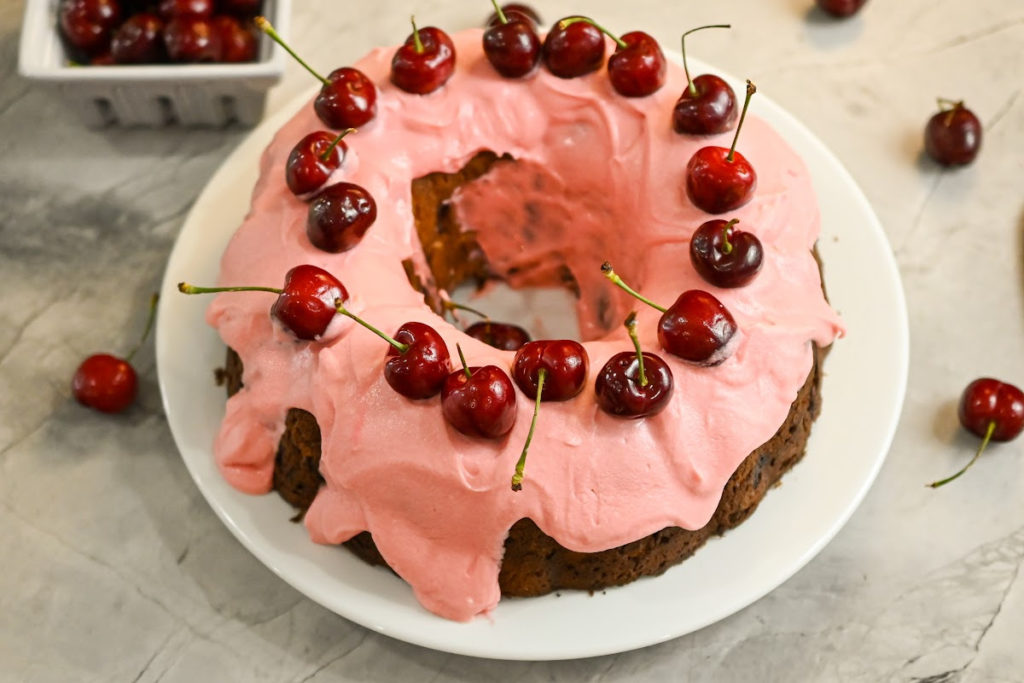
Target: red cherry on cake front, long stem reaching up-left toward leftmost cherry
(420, 371)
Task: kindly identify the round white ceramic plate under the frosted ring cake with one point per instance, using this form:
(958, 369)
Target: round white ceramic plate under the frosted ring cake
(846, 451)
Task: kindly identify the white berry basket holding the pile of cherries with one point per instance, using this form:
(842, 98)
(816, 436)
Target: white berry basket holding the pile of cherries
(206, 95)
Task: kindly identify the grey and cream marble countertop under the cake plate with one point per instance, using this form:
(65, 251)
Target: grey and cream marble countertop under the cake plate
(109, 549)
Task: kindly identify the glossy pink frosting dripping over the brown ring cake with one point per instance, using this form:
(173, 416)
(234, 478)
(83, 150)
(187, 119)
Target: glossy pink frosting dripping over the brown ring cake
(600, 178)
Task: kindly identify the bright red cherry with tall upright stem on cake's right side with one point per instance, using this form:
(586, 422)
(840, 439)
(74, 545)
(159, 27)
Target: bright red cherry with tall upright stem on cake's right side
(715, 185)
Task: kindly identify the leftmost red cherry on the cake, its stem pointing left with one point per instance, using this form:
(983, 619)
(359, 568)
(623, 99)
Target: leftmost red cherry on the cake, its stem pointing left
(307, 305)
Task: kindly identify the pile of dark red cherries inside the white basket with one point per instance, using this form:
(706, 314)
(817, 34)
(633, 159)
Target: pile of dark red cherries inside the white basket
(137, 32)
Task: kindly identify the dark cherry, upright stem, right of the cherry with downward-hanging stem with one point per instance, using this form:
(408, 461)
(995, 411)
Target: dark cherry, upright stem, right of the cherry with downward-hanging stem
(618, 387)
